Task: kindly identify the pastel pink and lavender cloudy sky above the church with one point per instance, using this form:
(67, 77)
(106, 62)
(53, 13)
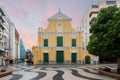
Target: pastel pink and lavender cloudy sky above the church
(28, 15)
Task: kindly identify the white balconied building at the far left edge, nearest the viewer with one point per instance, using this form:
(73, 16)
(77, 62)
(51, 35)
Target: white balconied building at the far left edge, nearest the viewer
(4, 36)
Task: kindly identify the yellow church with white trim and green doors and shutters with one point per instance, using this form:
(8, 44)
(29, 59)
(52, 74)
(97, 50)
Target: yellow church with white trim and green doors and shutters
(60, 43)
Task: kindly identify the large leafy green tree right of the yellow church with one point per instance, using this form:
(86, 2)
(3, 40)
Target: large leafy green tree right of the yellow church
(105, 29)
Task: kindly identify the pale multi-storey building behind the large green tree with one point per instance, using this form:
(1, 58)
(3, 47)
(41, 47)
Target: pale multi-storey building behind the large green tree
(86, 22)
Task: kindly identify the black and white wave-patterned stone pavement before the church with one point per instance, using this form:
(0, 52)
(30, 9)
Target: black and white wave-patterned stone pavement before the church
(43, 73)
